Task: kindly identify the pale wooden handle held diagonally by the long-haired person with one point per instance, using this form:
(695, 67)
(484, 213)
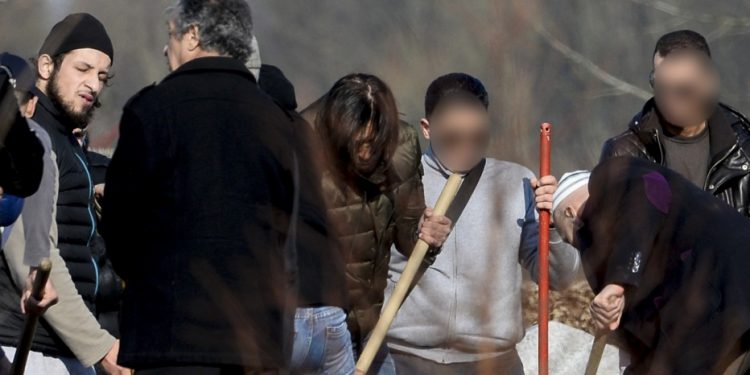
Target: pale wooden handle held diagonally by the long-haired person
(402, 286)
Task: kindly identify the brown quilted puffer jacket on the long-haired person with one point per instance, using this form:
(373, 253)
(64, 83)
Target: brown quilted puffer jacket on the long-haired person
(370, 215)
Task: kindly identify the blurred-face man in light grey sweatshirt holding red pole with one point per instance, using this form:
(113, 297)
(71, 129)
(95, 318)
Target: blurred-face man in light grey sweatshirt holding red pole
(464, 315)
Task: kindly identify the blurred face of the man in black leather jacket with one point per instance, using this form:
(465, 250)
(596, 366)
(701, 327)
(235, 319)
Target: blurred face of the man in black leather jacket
(686, 88)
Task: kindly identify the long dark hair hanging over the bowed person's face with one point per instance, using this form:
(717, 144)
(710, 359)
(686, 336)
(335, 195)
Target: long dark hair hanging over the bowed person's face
(355, 102)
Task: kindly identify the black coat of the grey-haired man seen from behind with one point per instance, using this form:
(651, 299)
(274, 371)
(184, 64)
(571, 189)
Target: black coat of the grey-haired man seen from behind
(198, 220)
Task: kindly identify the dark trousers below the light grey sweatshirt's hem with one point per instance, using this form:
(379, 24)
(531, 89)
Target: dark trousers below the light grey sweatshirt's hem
(507, 364)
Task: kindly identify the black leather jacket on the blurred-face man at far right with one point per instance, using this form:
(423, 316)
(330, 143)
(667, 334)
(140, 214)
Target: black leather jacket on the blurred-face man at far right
(729, 169)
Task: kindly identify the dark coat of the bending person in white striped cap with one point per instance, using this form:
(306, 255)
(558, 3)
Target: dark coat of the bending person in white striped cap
(682, 256)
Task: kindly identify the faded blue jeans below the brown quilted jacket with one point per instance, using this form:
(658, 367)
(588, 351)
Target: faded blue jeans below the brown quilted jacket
(322, 343)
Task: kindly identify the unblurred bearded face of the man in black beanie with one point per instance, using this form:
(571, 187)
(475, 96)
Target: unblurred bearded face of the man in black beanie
(76, 84)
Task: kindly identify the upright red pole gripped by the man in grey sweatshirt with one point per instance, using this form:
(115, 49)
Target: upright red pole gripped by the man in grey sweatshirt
(544, 219)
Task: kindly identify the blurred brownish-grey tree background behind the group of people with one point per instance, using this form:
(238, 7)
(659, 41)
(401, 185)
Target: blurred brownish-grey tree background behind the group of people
(580, 64)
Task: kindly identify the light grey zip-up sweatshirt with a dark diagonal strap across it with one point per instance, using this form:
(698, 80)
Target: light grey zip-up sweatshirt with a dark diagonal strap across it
(467, 306)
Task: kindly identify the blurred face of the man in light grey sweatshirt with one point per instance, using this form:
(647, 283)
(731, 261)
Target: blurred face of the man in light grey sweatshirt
(459, 132)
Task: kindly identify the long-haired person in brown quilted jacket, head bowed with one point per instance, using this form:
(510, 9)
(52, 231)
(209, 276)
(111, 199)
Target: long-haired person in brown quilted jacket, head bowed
(372, 182)
